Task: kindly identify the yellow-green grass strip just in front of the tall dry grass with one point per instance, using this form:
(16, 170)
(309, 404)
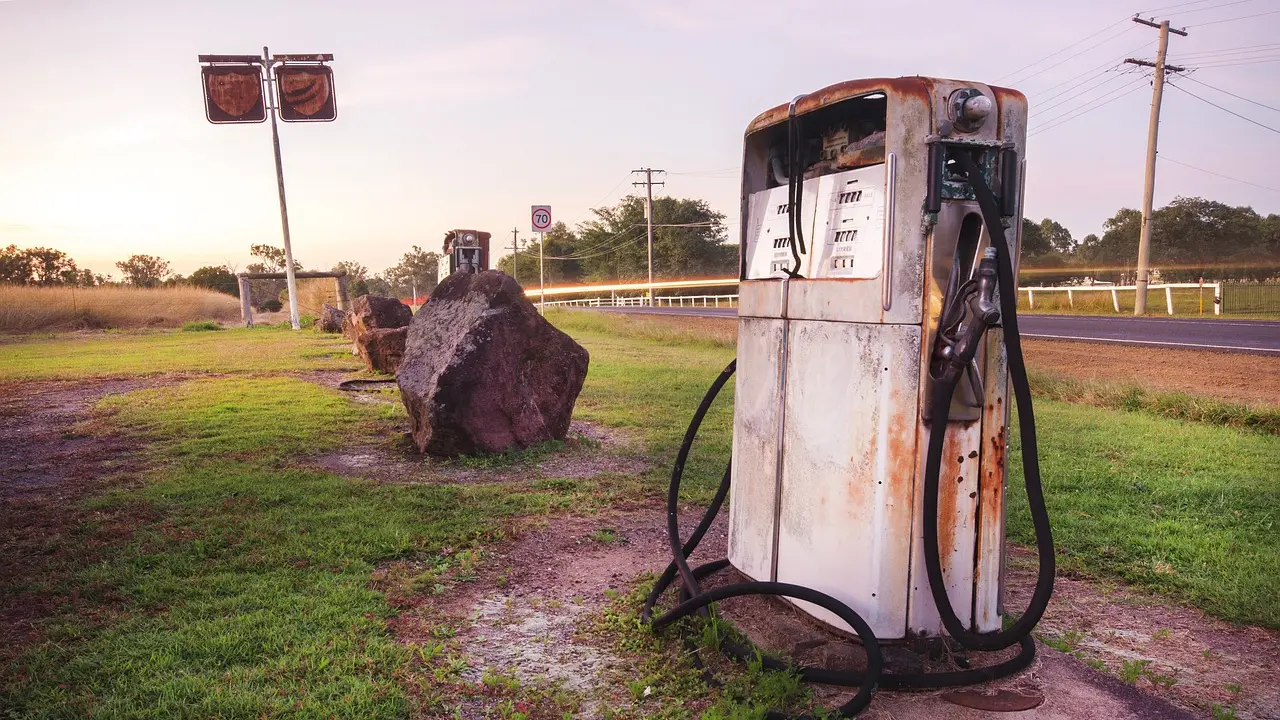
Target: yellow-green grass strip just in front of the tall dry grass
(141, 353)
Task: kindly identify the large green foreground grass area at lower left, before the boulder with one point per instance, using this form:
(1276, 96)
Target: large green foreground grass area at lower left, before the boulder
(246, 591)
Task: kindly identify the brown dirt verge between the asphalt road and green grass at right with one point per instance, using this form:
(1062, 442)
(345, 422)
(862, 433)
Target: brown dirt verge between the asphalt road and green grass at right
(1241, 379)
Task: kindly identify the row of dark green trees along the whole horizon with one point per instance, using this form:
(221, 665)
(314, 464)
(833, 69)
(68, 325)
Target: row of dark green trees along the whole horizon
(1192, 238)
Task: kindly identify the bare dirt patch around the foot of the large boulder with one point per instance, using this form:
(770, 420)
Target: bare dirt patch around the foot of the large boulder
(589, 452)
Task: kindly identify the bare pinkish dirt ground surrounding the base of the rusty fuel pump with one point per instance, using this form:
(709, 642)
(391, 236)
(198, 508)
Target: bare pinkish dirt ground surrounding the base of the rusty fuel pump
(523, 614)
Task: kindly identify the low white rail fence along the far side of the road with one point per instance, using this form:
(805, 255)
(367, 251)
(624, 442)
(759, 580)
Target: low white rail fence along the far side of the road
(628, 300)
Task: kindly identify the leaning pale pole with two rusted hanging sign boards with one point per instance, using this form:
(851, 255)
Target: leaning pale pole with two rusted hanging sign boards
(301, 92)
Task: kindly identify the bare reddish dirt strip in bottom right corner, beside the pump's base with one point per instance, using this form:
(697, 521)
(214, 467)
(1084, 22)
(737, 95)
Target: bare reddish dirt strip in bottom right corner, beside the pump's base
(1178, 653)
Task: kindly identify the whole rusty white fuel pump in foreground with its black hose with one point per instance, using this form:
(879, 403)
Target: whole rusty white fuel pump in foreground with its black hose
(877, 345)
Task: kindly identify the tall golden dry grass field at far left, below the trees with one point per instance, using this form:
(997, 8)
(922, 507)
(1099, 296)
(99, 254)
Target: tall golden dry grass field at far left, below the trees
(26, 309)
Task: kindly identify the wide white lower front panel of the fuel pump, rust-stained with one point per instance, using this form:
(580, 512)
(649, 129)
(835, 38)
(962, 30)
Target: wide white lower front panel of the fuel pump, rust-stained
(847, 499)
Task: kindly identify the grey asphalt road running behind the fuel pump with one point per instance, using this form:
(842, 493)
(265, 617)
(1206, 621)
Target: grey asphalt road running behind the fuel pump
(1261, 338)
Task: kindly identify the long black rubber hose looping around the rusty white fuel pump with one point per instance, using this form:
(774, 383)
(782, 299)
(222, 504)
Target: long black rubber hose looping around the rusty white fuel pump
(693, 599)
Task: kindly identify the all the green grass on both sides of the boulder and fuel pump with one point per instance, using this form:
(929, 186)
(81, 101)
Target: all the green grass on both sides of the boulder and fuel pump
(243, 586)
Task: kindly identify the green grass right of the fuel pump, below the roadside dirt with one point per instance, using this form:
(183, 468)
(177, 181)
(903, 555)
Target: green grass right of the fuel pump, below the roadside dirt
(1182, 509)
